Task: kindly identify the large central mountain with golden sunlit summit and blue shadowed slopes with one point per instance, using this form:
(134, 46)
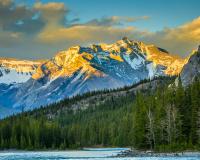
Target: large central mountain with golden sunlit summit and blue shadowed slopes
(82, 69)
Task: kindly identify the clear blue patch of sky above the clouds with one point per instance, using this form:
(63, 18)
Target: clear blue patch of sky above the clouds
(163, 13)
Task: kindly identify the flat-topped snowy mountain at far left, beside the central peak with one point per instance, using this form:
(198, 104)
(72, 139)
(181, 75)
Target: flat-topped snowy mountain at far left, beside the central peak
(12, 73)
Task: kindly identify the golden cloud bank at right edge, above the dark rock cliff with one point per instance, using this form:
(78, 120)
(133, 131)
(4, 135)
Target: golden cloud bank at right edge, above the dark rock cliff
(181, 39)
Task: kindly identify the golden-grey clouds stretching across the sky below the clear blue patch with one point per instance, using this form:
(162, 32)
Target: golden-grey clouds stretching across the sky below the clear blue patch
(34, 28)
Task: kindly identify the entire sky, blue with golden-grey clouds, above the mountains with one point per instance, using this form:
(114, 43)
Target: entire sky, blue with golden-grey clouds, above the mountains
(170, 24)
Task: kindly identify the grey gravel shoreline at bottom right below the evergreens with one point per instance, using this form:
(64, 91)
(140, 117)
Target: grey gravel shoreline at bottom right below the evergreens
(135, 153)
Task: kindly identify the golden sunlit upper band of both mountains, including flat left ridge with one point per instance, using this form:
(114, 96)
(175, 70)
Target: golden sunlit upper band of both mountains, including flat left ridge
(83, 59)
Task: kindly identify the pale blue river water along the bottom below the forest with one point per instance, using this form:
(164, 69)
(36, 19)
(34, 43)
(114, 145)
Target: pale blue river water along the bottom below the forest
(89, 153)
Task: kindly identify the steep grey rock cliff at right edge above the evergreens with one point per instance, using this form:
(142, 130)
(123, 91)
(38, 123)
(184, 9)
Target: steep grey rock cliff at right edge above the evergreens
(191, 69)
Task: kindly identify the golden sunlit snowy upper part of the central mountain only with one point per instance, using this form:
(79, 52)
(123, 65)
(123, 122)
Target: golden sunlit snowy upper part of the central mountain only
(88, 59)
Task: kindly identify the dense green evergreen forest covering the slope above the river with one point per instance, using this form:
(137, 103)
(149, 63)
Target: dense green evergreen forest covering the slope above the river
(166, 119)
